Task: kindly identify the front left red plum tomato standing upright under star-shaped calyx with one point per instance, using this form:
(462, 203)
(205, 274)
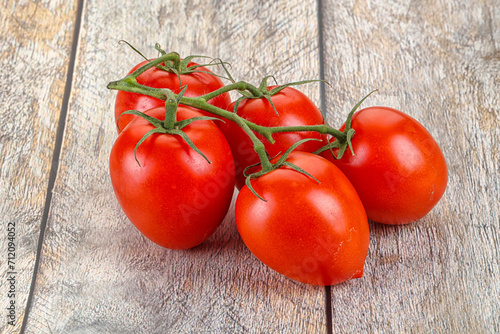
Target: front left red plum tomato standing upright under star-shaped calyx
(175, 197)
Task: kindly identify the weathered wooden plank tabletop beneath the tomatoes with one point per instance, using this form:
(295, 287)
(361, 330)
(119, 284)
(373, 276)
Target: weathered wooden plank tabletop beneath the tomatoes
(81, 267)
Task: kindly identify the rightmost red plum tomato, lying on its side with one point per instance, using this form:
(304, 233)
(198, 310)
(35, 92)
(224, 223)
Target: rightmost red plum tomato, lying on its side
(398, 169)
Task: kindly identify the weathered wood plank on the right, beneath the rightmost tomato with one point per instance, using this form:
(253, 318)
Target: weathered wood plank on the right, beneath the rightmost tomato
(439, 62)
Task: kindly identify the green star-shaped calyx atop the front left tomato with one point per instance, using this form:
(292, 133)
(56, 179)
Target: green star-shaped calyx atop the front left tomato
(170, 126)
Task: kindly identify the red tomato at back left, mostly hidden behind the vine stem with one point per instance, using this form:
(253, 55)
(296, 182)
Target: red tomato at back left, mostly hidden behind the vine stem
(198, 84)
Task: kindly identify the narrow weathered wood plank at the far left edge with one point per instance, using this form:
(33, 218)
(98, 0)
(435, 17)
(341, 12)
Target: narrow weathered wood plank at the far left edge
(35, 44)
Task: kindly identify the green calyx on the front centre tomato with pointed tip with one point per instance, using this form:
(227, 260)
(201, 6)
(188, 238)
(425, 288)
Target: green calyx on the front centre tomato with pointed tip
(282, 161)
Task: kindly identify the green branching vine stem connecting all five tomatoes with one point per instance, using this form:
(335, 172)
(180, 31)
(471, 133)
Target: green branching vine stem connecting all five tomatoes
(248, 91)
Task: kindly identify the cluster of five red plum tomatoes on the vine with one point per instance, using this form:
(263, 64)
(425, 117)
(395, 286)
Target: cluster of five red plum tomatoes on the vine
(309, 222)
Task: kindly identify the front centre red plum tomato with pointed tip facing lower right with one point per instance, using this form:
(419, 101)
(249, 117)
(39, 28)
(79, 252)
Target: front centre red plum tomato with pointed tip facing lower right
(312, 233)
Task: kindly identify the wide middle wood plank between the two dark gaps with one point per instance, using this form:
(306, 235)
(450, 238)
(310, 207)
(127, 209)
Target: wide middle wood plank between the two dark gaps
(97, 273)
